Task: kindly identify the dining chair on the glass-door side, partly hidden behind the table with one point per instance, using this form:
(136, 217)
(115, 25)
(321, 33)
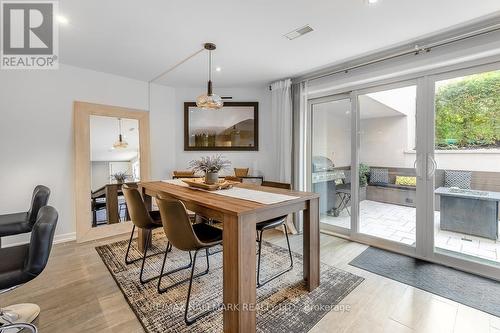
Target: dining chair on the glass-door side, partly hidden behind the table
(271, 224)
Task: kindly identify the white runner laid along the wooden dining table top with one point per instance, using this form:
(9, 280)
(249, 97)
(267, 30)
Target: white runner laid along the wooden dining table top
(266, 198)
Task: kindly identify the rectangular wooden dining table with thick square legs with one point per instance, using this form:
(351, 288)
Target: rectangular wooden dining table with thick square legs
(239, 218)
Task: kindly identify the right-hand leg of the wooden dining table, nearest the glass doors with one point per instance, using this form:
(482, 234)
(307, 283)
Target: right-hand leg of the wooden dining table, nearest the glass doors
(311, 244)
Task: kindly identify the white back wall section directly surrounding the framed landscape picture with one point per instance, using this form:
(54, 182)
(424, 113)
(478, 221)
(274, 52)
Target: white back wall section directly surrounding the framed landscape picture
(259, 162)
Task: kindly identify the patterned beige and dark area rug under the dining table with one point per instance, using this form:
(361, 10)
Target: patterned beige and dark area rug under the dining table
(284, 305)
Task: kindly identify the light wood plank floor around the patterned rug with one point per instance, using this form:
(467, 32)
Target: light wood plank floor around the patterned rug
(77, 294)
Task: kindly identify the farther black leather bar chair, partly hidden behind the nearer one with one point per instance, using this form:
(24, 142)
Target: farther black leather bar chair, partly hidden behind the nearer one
(20, 223)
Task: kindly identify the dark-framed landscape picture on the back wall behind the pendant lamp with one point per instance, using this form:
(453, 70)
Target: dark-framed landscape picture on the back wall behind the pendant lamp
(233, 127)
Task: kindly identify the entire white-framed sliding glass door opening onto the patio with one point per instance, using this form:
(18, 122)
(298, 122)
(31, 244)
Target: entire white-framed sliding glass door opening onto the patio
(413, 166)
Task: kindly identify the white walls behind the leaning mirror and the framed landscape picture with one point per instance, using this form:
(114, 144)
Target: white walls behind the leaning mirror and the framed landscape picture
(36, 132)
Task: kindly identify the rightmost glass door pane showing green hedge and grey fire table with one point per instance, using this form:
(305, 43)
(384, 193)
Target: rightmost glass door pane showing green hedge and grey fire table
(467, 167)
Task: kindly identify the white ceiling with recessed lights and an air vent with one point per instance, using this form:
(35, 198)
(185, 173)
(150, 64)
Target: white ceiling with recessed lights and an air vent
(142, 39)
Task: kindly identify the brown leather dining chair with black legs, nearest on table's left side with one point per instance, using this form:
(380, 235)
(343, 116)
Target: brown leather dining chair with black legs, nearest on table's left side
(187, 237)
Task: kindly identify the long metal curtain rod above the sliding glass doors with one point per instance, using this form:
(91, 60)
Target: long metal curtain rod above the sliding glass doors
(415, 50)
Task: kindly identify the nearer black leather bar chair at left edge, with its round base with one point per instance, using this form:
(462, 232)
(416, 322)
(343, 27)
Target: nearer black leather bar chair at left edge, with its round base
(21, 264)
